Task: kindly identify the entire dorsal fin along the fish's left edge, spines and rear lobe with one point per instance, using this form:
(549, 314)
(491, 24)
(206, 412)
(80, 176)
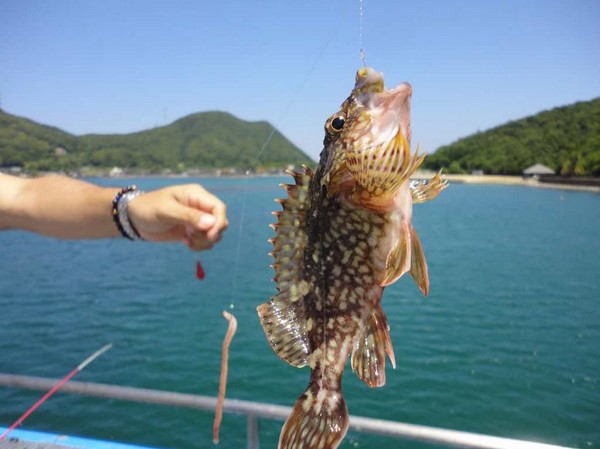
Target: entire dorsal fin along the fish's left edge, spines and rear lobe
(283, 318)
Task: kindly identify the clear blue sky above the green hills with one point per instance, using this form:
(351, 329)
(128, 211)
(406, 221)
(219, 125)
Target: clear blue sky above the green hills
(118, 66)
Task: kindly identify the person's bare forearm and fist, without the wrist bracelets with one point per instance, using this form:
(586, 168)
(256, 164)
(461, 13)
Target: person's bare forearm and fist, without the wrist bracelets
(62, 207)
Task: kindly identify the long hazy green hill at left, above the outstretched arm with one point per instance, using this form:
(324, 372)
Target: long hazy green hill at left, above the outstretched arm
(203, 141)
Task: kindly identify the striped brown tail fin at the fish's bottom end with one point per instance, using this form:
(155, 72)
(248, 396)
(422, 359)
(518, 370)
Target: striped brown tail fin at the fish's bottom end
(318, 420)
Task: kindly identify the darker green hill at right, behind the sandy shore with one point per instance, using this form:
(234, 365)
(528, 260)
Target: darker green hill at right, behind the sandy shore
(566, 139)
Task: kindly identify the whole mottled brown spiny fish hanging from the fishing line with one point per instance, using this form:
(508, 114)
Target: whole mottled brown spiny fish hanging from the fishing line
(343, 234)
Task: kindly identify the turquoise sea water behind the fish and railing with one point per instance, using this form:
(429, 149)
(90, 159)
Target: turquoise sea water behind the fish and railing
(506, 343)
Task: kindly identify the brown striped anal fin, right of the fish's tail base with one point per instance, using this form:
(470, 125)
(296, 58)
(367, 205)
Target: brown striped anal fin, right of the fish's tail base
(368, 354)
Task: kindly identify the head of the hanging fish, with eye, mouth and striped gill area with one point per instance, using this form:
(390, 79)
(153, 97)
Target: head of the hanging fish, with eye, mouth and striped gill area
(366, 156)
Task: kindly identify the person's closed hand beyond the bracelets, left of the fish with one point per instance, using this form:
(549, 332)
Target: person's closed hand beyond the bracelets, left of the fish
(187, 213)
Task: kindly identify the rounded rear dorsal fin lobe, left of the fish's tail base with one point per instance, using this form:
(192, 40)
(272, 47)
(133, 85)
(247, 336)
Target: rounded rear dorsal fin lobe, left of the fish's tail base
(284, 323)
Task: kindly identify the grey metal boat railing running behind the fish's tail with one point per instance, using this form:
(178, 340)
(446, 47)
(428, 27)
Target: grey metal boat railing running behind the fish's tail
(256, 410)
